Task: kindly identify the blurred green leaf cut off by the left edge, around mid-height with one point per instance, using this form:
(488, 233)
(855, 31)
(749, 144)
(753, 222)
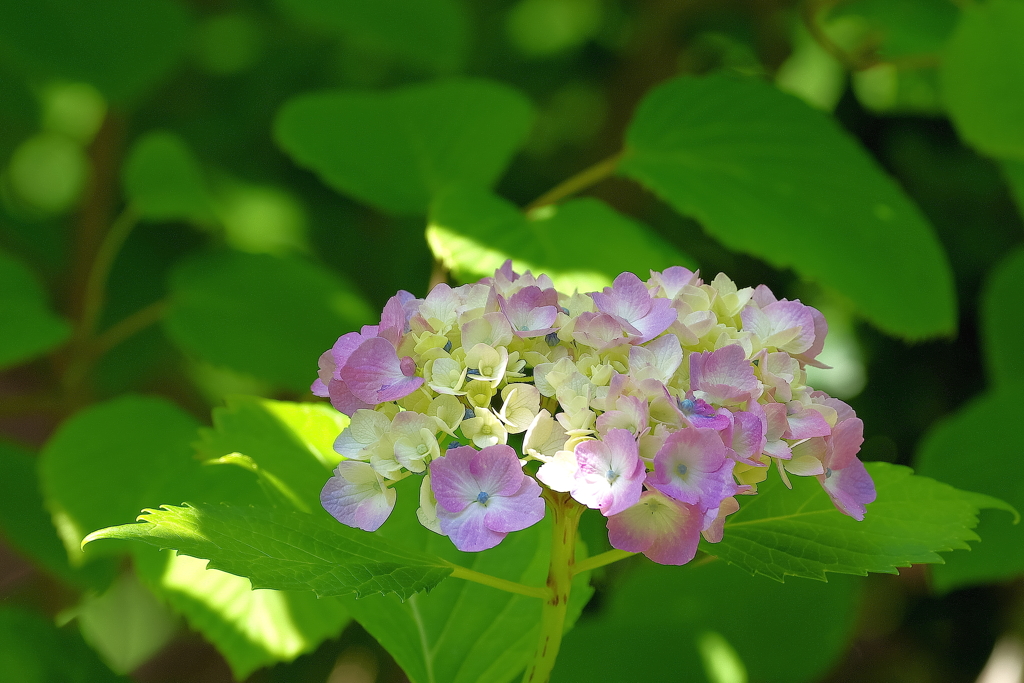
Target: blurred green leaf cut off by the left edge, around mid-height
(30, 328)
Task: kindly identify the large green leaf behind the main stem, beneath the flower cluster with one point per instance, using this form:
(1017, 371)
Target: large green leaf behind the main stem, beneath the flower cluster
(463, 632)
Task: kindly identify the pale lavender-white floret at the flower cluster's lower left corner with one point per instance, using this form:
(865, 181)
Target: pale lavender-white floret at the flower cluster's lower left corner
(356, 496)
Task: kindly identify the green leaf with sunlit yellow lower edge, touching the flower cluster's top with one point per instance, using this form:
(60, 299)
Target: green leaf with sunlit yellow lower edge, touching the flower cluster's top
(582, 244)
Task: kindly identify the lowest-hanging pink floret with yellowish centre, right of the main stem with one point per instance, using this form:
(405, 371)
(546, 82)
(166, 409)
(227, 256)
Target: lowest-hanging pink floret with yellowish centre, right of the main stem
(666, 531)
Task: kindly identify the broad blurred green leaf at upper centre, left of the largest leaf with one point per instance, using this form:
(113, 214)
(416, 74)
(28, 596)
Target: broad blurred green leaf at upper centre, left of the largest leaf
(398, 150)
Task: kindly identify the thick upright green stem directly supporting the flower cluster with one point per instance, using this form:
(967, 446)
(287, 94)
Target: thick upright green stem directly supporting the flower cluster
(566, 515)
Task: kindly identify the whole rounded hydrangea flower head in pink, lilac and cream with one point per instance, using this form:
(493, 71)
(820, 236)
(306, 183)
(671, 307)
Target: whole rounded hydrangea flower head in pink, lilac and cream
(657, 403)
